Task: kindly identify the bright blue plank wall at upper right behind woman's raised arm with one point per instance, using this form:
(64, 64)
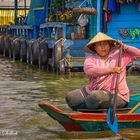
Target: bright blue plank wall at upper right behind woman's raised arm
(128, 18)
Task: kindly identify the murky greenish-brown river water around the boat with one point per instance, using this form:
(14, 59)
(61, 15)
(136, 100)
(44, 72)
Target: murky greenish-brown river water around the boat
(22, 87)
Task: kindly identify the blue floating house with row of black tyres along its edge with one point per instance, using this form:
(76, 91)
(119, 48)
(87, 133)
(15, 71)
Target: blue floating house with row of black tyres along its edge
(54, 32)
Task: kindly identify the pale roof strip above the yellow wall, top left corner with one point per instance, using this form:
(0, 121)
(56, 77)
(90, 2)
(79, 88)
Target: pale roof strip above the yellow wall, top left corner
(10, 3)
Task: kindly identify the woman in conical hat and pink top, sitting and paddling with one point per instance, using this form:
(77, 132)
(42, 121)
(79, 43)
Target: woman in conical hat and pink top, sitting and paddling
(101, 69)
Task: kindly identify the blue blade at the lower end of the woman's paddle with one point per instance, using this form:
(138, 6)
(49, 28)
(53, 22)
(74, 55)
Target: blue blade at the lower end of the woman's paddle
(112, 125)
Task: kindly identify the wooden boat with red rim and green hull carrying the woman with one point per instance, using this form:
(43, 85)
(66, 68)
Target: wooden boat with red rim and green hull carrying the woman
(95, 121)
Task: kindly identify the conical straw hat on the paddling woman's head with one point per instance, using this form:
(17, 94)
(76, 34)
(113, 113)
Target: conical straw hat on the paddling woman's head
(98, 38)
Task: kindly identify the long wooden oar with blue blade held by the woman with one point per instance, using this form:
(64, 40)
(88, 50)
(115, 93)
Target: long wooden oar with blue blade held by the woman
(111, 113)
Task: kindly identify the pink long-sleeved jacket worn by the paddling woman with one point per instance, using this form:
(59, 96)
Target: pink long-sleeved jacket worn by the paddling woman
(98, 71)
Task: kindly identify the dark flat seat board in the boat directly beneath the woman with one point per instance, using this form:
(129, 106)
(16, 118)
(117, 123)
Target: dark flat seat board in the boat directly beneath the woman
(118, 110)
